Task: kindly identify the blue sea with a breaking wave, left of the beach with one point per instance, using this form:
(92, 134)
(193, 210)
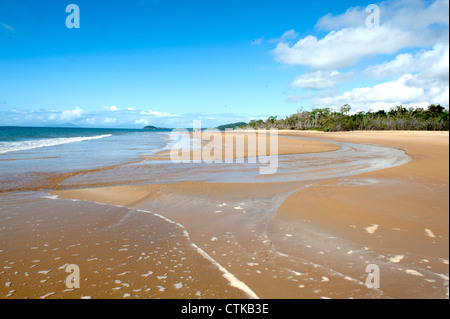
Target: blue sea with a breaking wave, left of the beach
(33, 157)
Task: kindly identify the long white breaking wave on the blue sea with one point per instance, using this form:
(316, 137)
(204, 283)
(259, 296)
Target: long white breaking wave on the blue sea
(6, 147)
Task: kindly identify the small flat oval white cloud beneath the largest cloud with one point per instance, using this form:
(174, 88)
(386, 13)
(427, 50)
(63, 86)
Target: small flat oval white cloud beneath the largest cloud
(319, 80)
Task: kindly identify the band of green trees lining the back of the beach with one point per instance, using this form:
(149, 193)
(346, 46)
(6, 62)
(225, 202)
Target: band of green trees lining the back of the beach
(434, 118)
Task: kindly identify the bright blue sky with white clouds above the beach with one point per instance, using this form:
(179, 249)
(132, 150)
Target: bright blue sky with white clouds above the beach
(168, 62)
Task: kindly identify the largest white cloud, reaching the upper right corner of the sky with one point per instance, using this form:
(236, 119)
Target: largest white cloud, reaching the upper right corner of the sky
(403, 25)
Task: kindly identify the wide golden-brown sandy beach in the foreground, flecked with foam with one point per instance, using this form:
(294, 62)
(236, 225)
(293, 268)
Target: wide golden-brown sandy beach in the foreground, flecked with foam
(286, 238)
